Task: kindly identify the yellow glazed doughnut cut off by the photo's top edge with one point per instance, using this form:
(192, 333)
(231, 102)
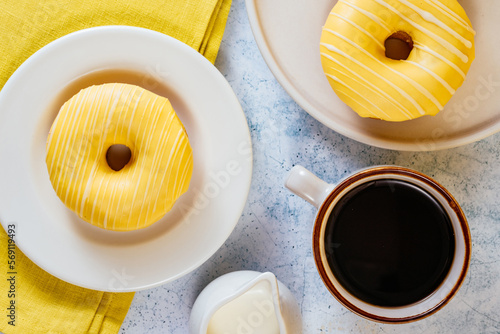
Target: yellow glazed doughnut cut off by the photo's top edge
(353, 55)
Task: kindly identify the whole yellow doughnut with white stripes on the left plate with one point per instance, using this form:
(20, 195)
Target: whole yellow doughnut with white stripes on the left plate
(145, 189)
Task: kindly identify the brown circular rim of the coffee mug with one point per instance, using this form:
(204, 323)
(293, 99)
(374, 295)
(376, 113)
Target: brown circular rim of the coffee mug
(397, 171)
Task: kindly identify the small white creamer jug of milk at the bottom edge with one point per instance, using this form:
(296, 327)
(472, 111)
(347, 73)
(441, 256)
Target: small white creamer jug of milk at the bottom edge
(245, 302)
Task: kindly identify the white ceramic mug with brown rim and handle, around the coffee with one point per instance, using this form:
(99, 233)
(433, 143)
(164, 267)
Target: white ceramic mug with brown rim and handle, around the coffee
(325, 196)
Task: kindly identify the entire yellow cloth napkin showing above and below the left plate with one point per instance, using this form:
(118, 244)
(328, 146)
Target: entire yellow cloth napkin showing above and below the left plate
(43, 303)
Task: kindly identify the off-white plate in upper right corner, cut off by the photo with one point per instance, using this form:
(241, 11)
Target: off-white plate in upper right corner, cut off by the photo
(288, 34)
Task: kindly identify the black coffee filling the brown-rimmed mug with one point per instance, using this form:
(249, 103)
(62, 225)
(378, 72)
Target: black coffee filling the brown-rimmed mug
(389, 243)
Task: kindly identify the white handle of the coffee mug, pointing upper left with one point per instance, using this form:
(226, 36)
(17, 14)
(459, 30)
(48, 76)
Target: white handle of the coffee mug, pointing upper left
(308, 186)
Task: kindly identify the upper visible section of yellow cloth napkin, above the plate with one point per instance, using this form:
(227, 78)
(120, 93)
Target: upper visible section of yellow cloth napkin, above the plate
(28, 25)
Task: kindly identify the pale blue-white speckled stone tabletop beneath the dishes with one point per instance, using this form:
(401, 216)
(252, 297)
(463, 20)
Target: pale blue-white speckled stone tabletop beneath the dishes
(274, 231)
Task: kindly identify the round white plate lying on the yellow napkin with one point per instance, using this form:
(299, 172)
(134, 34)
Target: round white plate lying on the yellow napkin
(54, 237)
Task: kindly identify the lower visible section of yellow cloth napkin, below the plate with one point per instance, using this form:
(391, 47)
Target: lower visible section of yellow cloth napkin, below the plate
(33, 301)
